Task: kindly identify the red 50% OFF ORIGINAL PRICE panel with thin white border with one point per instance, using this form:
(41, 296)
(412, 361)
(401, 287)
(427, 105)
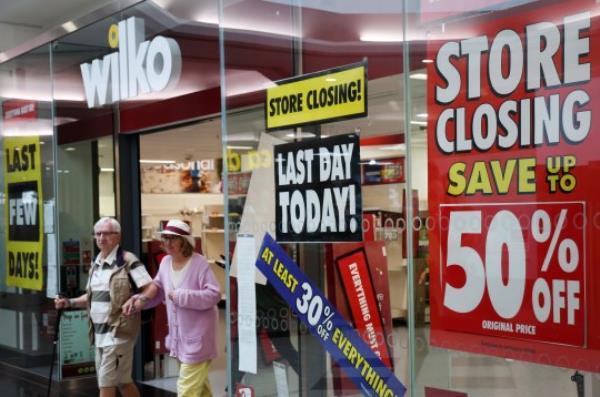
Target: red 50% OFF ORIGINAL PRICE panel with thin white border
(515, 270)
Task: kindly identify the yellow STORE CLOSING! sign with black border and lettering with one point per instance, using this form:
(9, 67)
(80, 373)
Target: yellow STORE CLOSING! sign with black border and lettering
(325, 96)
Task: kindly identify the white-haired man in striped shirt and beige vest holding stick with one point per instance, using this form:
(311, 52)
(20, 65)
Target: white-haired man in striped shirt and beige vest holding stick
(114, 277)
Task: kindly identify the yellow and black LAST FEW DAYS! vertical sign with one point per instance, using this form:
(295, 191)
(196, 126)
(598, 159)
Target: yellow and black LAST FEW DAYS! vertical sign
(23, 193)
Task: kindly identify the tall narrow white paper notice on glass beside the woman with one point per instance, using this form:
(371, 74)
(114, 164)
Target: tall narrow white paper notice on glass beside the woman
(246, 254)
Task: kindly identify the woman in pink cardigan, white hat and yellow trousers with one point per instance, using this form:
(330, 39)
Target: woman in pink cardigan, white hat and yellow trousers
(192, 292)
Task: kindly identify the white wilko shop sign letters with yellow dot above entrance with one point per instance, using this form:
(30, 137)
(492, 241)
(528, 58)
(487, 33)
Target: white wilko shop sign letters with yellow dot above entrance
(138, 67)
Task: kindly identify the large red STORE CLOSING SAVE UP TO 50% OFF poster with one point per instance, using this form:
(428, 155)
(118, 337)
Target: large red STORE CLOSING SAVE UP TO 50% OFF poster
(513, 190)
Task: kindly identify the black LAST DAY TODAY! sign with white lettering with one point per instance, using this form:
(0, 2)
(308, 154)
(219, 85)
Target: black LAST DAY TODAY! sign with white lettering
(317, 187)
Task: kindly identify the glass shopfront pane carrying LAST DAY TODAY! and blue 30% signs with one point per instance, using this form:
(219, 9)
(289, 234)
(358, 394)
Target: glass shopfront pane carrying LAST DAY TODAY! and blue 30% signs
(315, 134)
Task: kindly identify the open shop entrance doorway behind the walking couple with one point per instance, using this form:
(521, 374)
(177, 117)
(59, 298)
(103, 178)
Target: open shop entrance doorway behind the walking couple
(180, 178)
